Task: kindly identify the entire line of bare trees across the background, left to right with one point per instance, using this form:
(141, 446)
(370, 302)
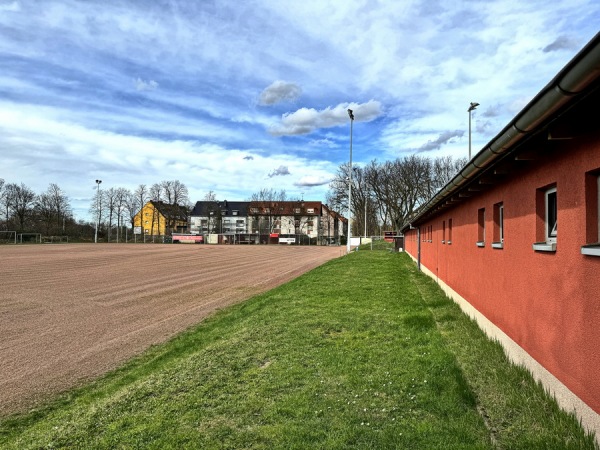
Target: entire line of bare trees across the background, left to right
(384, 197)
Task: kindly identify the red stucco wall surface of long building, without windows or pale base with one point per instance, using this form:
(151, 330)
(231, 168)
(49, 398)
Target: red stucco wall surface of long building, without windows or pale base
(547, 302)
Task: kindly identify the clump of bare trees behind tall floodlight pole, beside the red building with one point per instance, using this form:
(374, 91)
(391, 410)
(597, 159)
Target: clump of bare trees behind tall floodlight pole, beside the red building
(386, 194)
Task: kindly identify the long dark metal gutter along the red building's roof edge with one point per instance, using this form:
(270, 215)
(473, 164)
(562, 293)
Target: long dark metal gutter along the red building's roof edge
(572, 80)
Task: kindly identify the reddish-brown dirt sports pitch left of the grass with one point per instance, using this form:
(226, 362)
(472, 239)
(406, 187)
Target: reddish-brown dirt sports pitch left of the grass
(71, 312)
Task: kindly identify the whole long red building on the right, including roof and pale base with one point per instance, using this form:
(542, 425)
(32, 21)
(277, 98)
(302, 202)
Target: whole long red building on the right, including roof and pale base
(491, 237)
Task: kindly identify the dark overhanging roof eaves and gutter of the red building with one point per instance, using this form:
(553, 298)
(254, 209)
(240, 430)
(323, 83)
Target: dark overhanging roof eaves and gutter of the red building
(565, 108)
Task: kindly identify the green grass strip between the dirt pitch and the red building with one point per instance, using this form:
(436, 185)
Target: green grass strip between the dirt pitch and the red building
(362, 352)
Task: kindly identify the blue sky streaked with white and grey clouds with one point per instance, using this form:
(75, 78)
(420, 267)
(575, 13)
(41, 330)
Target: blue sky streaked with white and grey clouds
(235, 96)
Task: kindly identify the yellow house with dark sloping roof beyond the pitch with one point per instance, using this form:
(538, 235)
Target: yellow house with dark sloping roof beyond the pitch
(159, 219)
